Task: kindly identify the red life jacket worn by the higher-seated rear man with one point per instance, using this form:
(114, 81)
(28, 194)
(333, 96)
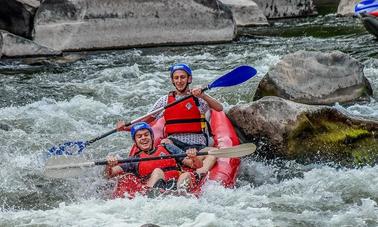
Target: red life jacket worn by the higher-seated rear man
(184, 117)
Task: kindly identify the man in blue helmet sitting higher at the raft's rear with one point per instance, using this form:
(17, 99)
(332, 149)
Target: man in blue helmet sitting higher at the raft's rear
(185, 123)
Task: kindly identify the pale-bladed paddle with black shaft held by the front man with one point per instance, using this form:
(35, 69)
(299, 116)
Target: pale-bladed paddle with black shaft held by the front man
(70, 166)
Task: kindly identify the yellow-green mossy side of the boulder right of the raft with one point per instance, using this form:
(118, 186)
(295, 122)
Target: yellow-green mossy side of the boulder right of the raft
(320, 137)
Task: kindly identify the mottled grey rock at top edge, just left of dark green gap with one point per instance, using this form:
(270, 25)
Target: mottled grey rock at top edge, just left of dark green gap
(286, 8)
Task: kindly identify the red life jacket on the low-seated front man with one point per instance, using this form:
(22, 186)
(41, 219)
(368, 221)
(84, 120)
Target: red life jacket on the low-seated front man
(169, 166)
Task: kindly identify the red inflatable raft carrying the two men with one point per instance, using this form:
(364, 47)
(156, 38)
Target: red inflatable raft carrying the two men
(224, 171)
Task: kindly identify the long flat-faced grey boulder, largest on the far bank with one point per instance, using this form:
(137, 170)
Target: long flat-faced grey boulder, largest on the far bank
(97, 24)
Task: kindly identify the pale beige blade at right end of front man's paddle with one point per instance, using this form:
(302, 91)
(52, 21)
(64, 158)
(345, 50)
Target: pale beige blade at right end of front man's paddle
(233, 152)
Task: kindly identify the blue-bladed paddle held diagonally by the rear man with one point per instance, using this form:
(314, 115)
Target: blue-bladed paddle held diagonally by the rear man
(234, 77)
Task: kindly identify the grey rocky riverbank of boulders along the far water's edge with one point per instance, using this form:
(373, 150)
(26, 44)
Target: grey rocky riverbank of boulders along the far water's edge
(66, 25)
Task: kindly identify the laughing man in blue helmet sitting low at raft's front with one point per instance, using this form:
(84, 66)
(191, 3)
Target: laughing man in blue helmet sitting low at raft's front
(155, 173)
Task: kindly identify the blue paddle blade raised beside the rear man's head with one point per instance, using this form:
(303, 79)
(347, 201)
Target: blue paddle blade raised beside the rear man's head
(236, 76)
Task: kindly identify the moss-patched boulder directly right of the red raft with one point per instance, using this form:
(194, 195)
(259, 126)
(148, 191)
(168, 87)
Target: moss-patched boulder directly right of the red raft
(307, 133)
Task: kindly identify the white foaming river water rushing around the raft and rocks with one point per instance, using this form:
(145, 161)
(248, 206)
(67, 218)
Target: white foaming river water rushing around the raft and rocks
(45, 102)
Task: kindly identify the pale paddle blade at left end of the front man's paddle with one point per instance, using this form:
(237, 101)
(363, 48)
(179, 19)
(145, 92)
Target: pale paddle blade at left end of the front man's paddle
(64, 166)
